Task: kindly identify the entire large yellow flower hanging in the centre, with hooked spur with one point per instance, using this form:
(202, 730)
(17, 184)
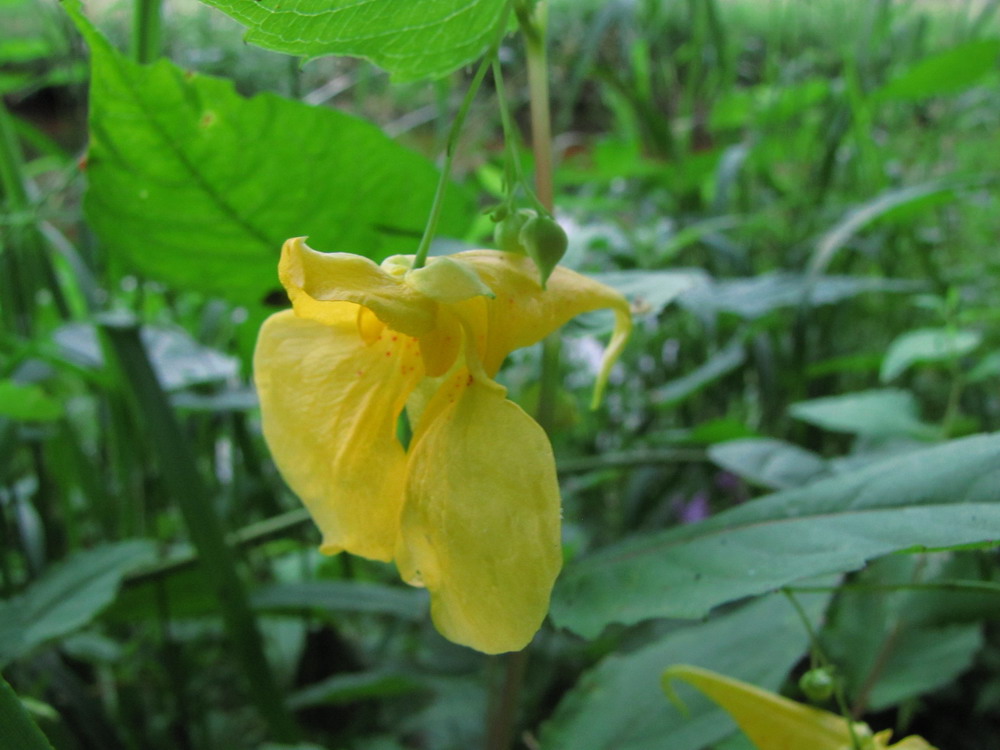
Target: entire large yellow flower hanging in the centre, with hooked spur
(471, 509)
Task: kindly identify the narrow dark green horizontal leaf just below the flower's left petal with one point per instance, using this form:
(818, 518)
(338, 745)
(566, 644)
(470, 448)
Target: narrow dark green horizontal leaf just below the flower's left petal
(342, 596)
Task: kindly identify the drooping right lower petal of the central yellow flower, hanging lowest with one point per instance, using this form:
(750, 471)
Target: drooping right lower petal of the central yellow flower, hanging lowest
(480, 526)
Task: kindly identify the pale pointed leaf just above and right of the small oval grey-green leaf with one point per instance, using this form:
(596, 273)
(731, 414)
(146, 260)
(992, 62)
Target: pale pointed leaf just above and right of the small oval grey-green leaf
(879, 413)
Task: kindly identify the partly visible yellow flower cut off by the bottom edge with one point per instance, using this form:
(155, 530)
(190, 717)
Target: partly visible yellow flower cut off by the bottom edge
(773, 722)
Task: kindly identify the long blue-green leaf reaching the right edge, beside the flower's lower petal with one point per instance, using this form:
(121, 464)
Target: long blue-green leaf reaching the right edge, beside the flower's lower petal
(937, 497)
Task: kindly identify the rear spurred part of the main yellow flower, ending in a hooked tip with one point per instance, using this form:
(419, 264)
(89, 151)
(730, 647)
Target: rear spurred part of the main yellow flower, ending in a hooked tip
(523, 313)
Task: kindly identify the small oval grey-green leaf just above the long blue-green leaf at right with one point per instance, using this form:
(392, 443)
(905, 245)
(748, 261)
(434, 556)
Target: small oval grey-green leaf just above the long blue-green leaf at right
(769, 462)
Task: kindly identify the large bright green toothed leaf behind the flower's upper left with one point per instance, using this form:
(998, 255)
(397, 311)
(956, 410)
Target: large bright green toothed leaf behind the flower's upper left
(196, 185)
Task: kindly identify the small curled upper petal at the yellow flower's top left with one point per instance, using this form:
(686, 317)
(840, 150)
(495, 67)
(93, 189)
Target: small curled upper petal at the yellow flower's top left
(315, 279)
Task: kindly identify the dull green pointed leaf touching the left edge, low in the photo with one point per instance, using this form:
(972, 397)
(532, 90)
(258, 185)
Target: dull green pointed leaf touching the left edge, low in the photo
(68, 596)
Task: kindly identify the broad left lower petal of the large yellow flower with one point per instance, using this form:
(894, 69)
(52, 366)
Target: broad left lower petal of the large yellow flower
(329, 405)
